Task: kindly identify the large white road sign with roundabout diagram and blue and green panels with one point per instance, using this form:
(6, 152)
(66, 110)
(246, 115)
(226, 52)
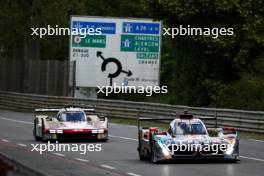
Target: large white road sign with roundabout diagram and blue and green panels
(115, 50)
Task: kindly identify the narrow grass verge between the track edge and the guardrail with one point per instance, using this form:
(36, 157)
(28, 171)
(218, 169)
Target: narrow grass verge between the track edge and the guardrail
(134, 122)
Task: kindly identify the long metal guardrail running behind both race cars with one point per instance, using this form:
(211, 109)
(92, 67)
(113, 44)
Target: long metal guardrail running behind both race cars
(251, 121)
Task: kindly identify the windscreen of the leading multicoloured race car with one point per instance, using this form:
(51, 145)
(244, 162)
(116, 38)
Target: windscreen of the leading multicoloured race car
(192, 128)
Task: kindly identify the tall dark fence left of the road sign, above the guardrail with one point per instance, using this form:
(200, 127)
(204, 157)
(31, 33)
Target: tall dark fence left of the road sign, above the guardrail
(46, 77)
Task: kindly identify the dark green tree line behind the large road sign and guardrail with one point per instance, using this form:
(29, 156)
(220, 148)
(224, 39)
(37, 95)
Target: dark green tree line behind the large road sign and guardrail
(226, 72)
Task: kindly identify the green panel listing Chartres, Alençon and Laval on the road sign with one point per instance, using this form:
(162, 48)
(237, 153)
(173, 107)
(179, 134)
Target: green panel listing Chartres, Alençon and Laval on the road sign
(139, 43)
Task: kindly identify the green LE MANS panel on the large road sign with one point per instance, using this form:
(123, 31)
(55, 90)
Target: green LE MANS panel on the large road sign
(97, 41)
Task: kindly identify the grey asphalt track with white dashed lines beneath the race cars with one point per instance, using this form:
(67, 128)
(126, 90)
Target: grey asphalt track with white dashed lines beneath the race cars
(118, 156)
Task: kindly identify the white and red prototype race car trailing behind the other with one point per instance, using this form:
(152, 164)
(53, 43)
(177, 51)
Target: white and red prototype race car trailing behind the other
(69, 123)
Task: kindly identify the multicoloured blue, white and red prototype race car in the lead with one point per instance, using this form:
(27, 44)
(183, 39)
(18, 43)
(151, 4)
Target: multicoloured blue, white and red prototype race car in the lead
(187, 138)
